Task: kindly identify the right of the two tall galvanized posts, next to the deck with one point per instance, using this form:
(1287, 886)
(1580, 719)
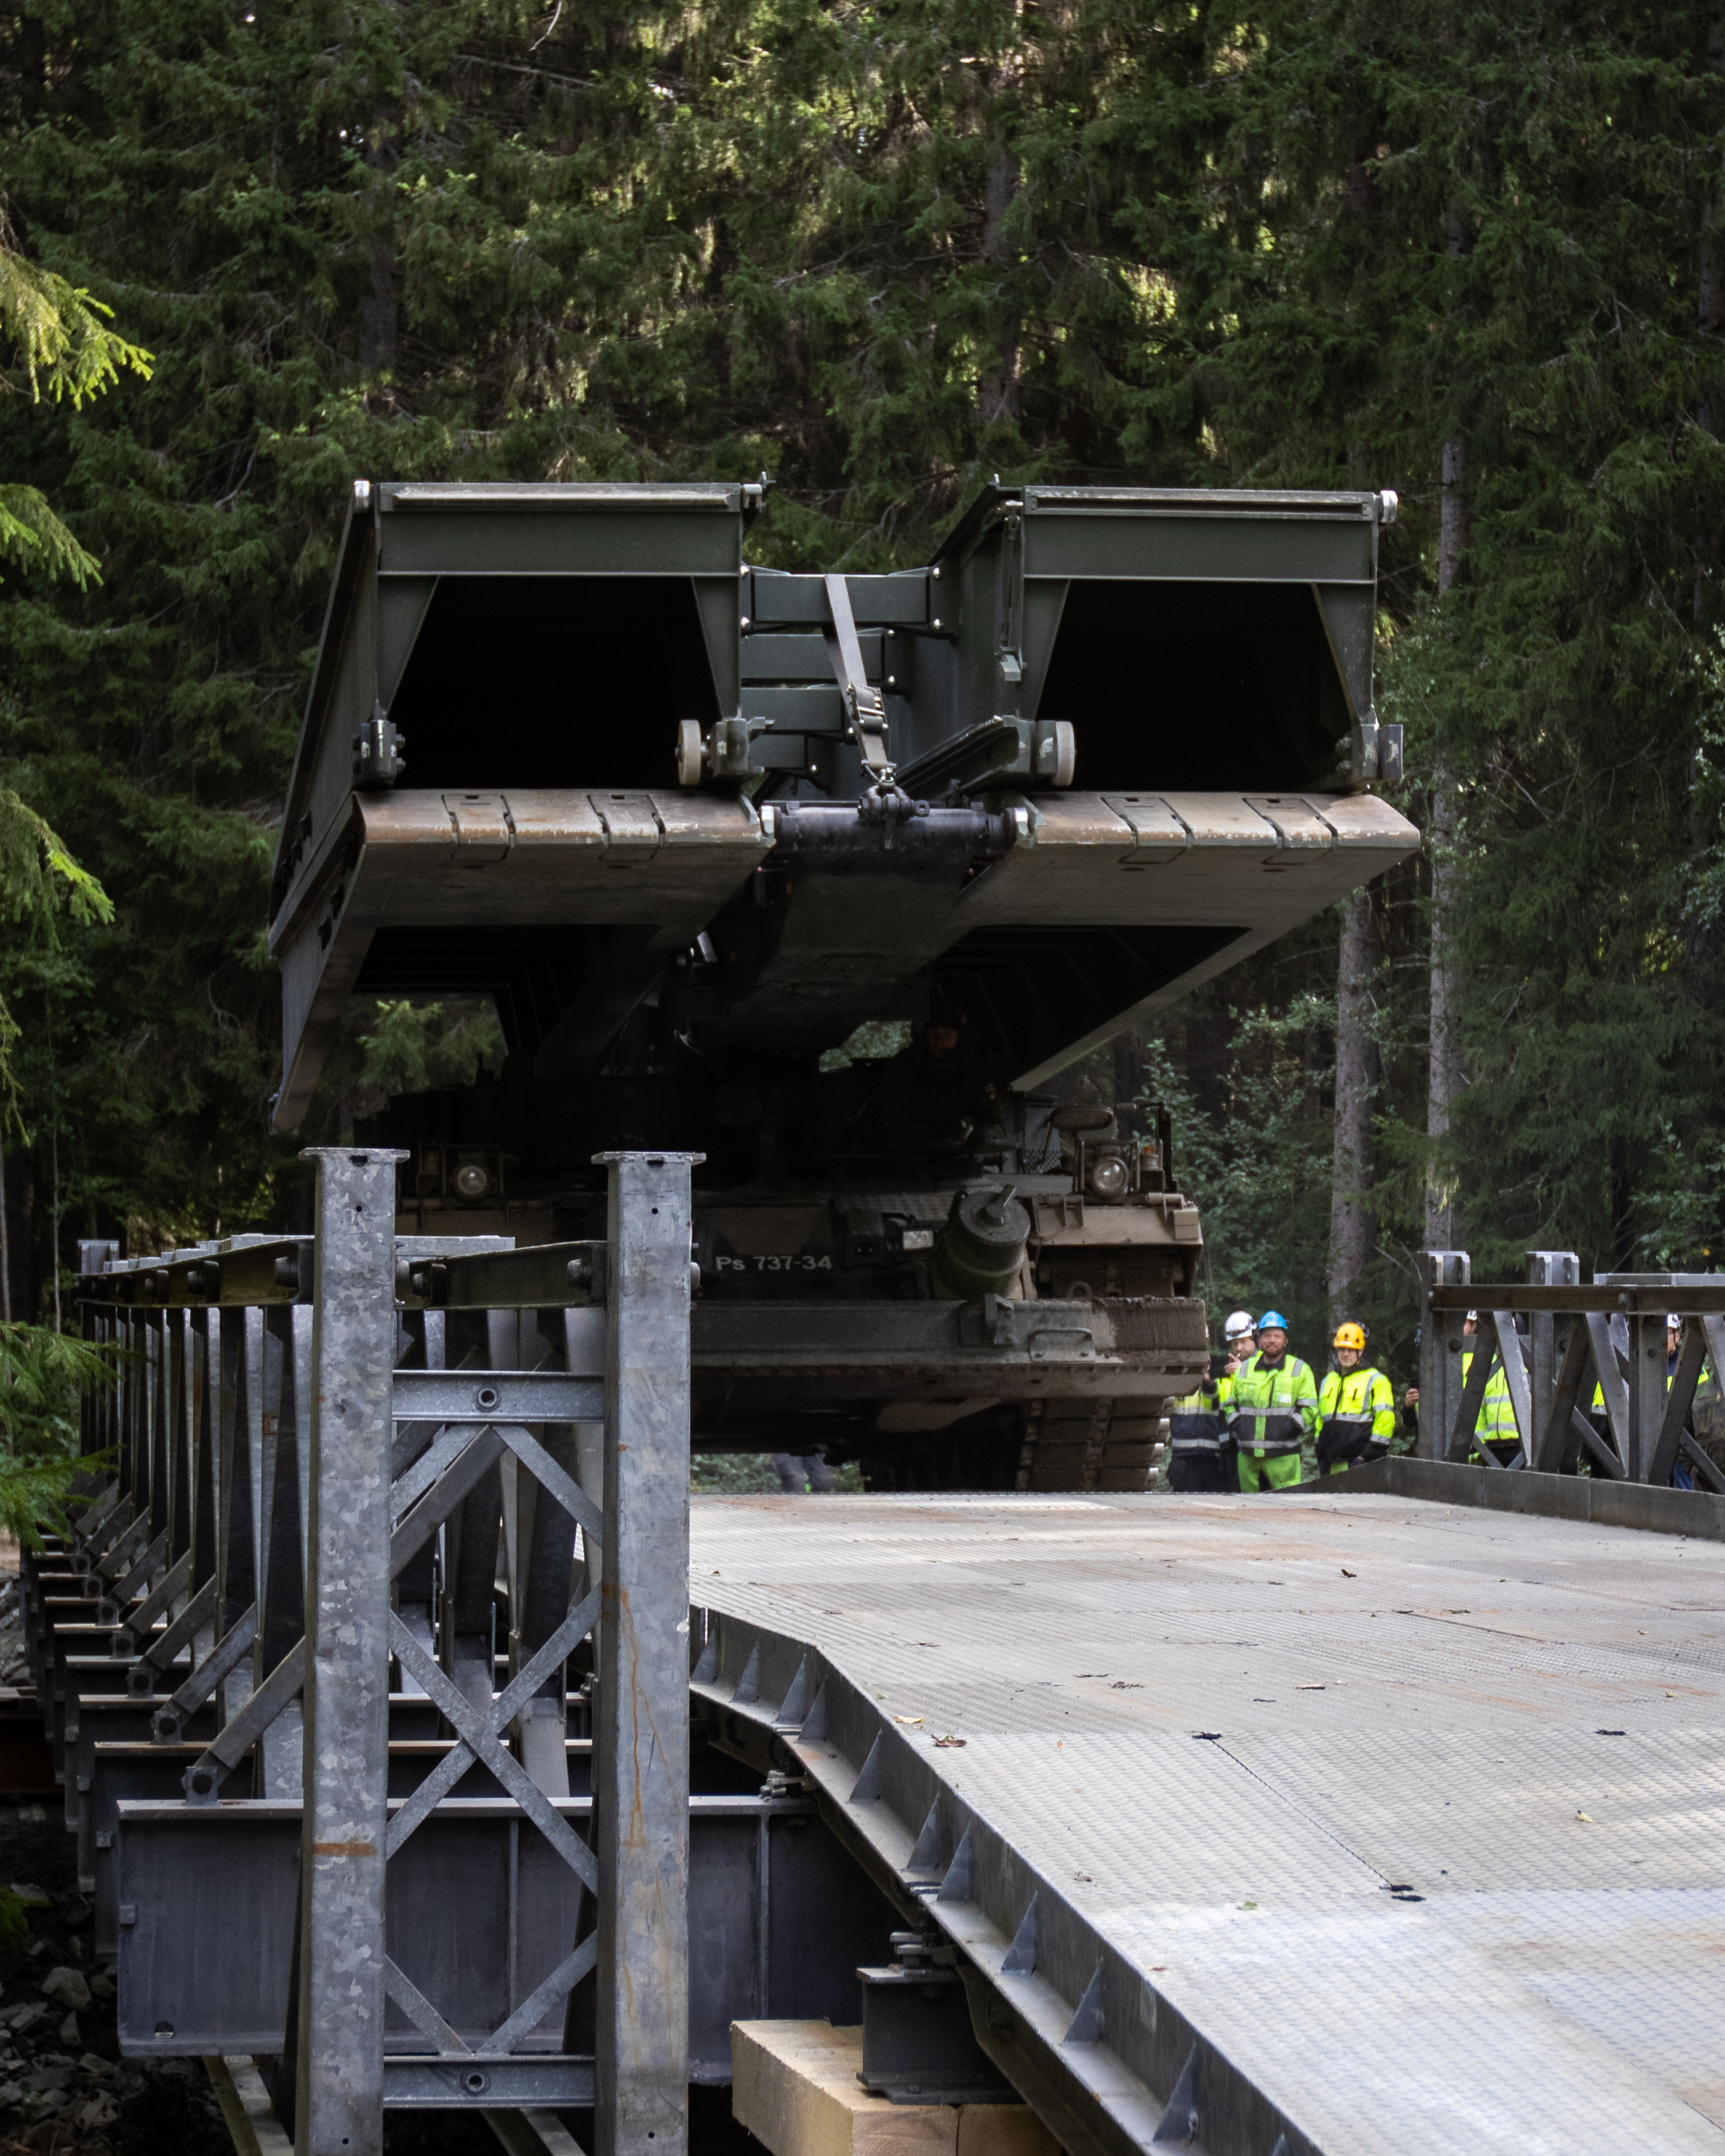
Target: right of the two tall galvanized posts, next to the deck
(641, 1706)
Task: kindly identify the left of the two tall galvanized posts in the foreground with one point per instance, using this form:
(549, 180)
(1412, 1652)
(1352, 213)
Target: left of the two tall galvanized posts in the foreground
(340, 2097)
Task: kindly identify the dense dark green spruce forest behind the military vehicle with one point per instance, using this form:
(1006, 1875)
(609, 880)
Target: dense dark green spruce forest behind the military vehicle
(885, 251)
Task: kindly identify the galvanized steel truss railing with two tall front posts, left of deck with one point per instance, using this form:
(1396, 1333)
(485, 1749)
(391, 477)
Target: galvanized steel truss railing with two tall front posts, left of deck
(301, 1584)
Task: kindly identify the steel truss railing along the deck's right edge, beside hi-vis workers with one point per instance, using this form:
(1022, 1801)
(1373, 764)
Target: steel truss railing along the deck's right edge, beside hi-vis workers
(1586, 1366)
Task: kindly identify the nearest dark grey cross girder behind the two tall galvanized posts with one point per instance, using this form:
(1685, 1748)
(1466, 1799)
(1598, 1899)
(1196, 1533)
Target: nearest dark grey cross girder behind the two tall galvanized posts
(478, 1916)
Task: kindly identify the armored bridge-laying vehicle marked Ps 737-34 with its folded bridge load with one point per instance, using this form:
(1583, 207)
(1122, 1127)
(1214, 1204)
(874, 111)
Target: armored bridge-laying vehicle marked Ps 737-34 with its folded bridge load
(710, 838)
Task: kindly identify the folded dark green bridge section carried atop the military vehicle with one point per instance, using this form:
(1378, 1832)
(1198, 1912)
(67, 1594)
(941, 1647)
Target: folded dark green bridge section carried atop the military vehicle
(562, 736)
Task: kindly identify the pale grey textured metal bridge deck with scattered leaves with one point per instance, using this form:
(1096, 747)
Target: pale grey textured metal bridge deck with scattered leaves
(1230, 1730)
